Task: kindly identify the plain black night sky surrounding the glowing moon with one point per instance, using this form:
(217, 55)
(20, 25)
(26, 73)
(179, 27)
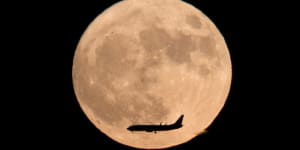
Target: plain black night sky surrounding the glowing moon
(42, 108)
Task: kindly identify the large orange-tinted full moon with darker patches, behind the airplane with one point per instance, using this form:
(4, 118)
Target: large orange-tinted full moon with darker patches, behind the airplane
(148, 62)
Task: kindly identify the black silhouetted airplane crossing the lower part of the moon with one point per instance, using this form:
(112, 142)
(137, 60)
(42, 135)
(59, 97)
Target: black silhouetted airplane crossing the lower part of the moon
(155, 128)
